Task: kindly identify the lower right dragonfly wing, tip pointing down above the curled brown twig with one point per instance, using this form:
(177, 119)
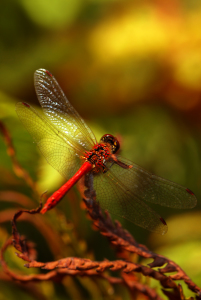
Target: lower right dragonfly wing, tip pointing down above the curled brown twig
(120, 201)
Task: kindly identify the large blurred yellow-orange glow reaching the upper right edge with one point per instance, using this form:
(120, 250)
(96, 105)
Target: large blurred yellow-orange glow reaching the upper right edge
(144, 33)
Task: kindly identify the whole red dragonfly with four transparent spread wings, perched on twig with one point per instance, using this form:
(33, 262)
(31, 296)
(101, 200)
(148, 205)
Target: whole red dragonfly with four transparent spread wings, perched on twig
(70, 147)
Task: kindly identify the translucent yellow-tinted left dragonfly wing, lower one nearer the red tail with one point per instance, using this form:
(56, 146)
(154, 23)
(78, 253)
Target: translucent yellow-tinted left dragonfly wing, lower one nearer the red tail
(52, 144)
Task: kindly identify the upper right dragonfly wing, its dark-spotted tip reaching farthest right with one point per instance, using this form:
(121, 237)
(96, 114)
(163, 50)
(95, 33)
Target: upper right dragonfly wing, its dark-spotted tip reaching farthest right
(151, 188)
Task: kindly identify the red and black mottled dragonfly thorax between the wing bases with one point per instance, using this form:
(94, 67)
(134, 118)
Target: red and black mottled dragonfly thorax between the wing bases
(98, 156)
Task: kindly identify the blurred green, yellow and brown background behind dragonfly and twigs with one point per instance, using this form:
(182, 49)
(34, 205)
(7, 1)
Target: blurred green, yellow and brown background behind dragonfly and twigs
(130, 68)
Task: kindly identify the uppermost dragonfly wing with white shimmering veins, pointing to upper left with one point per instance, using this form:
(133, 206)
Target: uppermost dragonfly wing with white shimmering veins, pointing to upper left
(59, 110)
